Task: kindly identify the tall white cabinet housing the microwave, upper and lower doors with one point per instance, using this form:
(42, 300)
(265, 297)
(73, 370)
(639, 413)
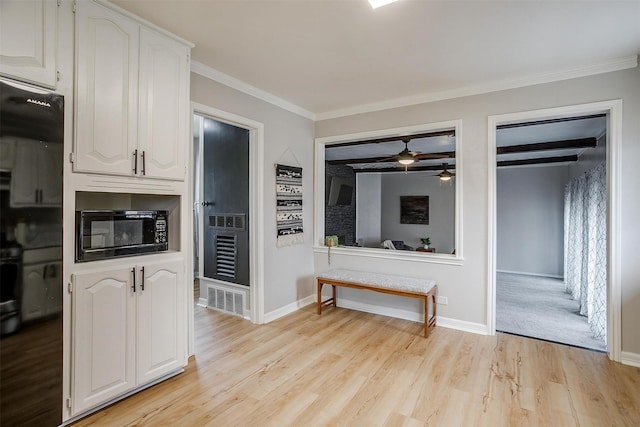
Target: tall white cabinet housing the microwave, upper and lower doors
(132, 115)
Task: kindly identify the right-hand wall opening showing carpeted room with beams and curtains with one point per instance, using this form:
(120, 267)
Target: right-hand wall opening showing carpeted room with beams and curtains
(551, 228)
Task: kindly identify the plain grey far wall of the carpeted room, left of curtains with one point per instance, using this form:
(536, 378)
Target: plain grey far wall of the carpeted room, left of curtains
(530, 219)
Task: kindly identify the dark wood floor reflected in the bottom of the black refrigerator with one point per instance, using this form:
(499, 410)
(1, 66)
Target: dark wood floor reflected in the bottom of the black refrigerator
(31, 375)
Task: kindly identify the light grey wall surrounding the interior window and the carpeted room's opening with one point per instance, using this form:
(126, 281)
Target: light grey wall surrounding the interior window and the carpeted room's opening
(466, 285)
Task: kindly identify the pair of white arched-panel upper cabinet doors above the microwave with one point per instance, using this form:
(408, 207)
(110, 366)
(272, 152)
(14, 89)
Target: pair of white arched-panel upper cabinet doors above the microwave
(133, 96)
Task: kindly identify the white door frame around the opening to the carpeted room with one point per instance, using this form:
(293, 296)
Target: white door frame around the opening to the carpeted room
(613, 109)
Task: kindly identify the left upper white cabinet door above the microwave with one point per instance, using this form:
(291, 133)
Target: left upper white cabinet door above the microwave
(107, 90)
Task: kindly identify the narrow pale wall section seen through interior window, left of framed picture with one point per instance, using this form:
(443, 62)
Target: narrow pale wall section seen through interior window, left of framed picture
(368, 209)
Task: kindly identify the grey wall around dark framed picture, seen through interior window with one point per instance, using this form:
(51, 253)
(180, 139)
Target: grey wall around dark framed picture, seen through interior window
(441, 228)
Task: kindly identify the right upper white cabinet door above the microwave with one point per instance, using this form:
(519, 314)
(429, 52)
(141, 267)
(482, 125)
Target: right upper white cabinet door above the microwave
(164, 105)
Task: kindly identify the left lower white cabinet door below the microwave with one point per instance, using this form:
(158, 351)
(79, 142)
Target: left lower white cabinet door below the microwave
(103, 337)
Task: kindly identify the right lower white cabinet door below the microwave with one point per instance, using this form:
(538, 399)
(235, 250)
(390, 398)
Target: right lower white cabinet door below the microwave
(160, 320)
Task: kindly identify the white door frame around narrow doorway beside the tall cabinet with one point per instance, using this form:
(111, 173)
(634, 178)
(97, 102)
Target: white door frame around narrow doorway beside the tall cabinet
(256, 209)
